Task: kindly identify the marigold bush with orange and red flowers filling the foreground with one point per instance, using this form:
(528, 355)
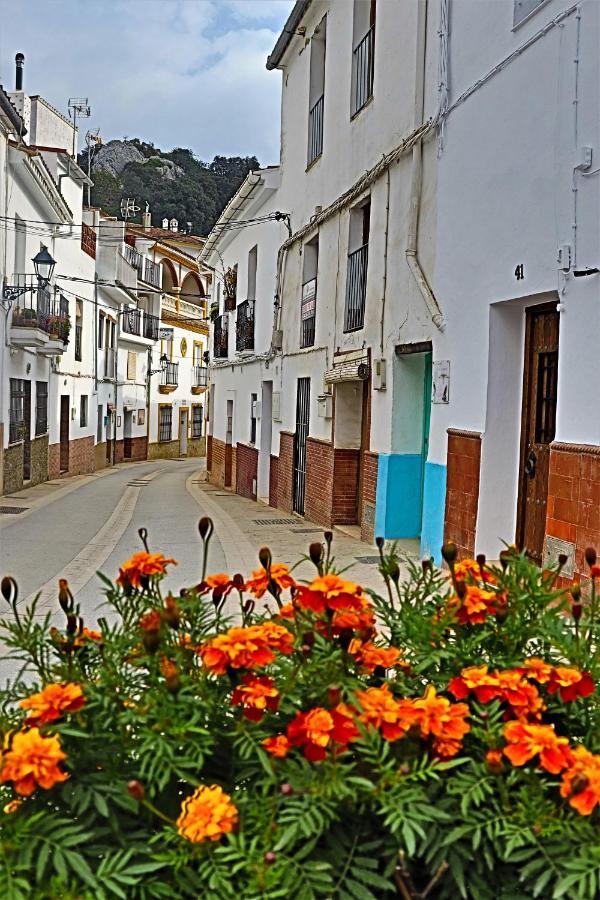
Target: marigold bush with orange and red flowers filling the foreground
(261, 738)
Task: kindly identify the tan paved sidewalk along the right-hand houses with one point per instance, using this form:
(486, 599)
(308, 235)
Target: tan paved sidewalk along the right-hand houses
(244, 526)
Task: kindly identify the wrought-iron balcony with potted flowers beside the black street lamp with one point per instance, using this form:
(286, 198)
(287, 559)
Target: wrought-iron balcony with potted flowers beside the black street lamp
(39, 320)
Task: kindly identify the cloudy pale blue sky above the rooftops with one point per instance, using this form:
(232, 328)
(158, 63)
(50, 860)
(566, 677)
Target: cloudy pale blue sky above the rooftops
(179, 73)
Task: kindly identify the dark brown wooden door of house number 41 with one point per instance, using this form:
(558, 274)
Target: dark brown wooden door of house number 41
(538, 425)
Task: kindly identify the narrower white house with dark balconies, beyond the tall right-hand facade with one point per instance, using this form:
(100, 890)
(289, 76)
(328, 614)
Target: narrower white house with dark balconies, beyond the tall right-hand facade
(244, 260)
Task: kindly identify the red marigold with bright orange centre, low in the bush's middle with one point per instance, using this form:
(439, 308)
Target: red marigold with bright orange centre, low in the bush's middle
(318, 729)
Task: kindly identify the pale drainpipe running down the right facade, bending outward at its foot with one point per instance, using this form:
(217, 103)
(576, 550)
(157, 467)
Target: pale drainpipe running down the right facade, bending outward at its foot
(417, 175)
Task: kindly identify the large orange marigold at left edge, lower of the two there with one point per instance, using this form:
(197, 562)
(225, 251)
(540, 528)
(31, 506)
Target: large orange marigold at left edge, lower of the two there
(33, 761)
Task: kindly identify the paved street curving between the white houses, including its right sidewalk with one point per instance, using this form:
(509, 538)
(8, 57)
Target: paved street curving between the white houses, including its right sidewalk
(76, 527)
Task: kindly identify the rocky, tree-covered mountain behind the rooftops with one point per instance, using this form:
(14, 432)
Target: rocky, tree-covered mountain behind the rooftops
(174, 184)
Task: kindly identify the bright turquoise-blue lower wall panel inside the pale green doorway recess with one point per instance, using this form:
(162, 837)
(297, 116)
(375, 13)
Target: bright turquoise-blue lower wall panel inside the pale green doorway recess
(398, 500)
